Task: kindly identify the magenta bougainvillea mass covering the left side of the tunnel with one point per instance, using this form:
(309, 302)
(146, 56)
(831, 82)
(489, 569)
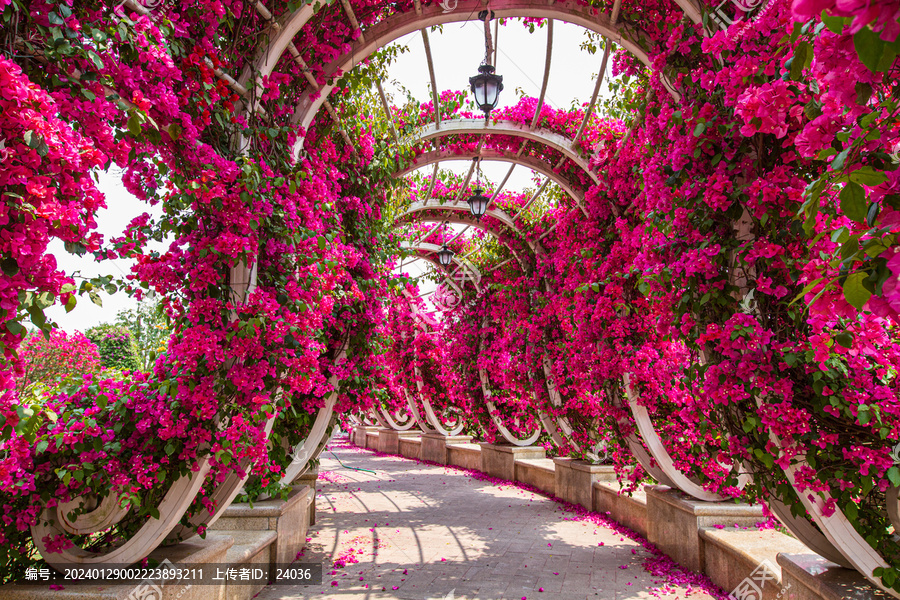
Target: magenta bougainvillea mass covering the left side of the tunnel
(306, 233)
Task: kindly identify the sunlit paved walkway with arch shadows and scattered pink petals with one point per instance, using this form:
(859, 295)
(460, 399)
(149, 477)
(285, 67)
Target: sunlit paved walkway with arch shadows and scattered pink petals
(419, 531)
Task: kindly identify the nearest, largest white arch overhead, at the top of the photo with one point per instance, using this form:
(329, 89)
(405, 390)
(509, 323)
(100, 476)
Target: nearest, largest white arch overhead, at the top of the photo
(401, 24)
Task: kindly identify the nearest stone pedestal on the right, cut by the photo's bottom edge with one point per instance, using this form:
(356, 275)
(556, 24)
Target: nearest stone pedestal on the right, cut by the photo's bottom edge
(811, 577)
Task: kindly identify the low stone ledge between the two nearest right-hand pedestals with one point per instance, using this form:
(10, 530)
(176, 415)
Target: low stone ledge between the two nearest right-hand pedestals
(732, 555)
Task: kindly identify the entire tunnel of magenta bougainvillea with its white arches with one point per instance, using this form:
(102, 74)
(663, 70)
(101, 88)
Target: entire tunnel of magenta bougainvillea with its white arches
(700, 288)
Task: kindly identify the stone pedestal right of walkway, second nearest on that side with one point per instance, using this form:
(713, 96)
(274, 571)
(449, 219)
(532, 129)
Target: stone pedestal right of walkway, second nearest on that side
(674, 521)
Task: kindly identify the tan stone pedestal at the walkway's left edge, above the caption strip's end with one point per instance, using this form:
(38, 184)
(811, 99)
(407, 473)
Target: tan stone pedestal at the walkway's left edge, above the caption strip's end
(287, 519)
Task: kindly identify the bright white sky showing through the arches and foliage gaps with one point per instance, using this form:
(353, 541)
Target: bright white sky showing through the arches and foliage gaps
(457, 51)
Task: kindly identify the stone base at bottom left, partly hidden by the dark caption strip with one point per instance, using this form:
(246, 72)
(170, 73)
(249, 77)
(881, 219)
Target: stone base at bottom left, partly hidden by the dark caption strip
(194, 552)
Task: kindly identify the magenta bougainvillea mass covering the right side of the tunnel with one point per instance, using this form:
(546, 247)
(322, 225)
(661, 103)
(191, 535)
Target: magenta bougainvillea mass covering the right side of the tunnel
(755, 338)
